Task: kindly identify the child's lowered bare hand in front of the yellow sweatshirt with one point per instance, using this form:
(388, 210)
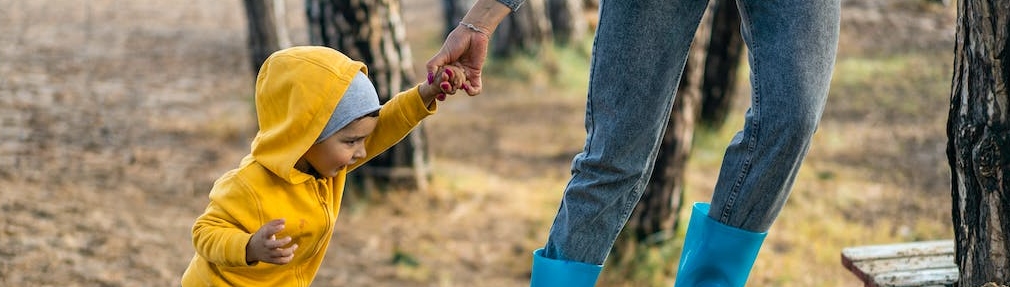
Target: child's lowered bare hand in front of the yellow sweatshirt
(265, 247)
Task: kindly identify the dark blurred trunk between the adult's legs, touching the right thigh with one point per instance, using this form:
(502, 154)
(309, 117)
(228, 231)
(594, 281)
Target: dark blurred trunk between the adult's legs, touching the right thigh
(726, 47)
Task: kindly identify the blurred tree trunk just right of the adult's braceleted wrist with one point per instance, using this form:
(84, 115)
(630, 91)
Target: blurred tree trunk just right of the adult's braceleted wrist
(524, 31)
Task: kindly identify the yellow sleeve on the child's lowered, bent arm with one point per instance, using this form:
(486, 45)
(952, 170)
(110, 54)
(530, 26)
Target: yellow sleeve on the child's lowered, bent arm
(222, 233)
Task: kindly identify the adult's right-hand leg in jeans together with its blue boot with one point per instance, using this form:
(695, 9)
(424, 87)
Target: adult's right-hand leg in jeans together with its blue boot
(792, 48)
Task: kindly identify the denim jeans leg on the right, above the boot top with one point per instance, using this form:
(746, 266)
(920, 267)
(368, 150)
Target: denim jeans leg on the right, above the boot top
(792, 46)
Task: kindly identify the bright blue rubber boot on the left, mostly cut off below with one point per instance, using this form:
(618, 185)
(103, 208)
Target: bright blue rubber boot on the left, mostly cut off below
(551, 273)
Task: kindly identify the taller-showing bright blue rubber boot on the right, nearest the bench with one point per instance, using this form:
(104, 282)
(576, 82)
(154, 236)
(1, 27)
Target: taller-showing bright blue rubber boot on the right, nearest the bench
(716, 254)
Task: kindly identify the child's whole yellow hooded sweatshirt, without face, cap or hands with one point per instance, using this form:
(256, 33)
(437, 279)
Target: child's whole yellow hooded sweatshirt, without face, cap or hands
(296, 92)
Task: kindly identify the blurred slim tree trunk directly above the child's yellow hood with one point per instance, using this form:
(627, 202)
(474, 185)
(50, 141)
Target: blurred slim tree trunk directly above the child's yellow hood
(267, 30)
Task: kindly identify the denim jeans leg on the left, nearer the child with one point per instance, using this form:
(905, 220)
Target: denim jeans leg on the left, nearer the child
(639, 56)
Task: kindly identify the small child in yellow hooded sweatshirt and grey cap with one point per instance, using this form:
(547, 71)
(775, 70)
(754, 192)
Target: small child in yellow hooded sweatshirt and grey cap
(269, 222)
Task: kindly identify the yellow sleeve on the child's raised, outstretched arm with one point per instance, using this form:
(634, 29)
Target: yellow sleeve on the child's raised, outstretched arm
(396, 119)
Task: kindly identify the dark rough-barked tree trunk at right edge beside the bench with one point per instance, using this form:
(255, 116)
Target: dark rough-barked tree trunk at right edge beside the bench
(979, 142)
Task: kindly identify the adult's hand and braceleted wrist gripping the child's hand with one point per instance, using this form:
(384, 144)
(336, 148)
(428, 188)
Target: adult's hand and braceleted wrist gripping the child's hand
(467, 45)
